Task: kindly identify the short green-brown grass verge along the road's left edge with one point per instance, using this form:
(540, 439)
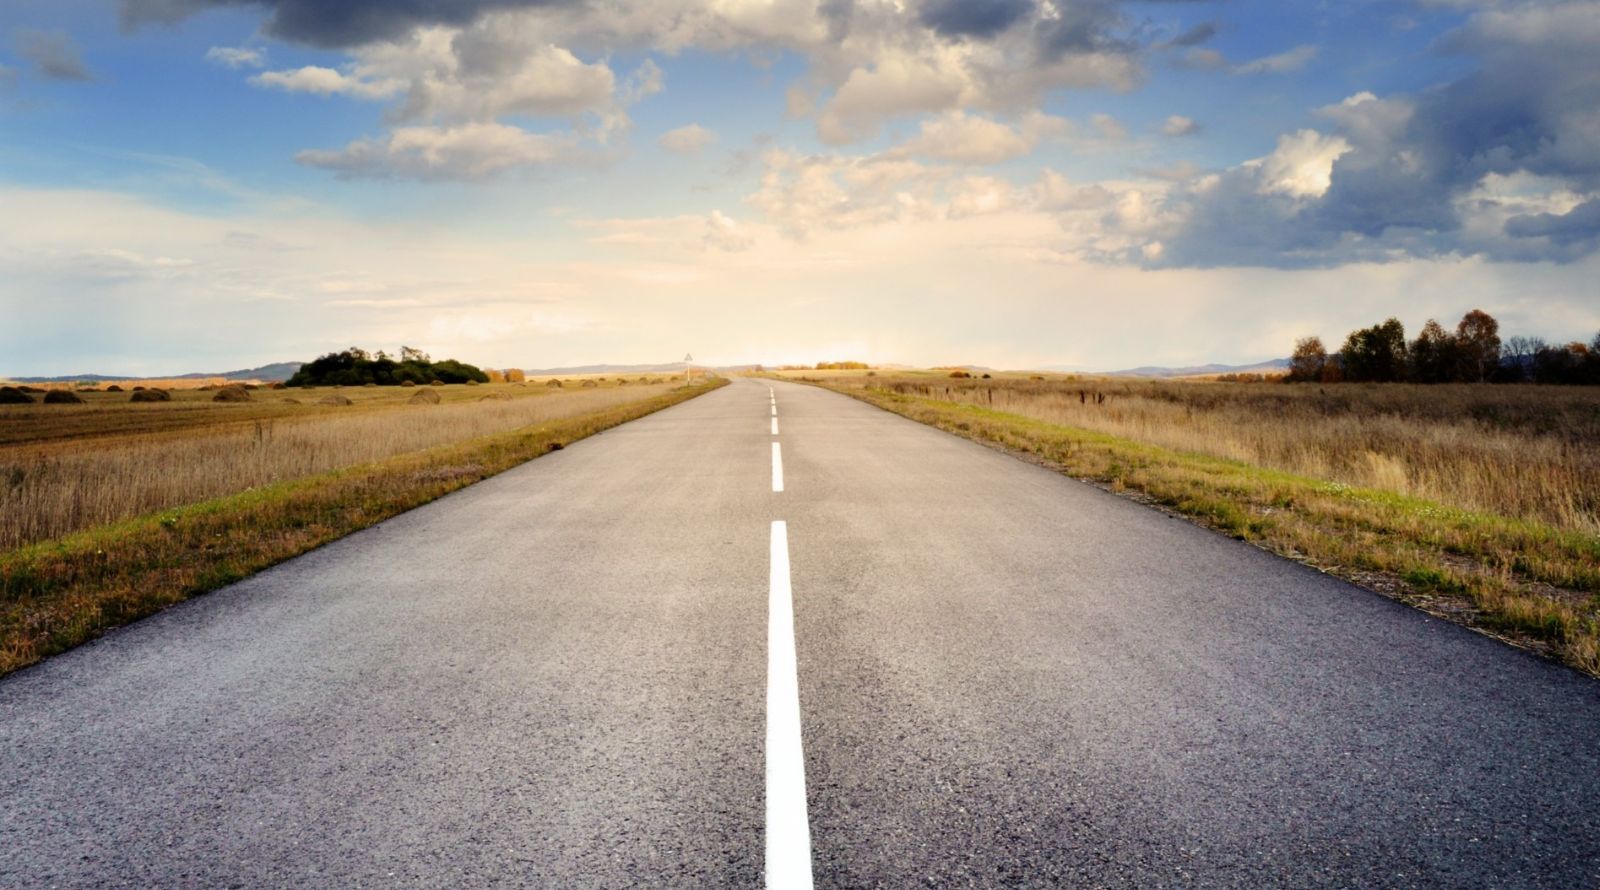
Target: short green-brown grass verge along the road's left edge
(63, 593)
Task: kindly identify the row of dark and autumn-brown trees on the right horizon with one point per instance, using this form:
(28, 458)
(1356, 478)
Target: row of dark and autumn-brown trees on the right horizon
(1473, 353)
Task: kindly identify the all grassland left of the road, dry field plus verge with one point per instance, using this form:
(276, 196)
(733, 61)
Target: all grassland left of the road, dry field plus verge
(145, 505)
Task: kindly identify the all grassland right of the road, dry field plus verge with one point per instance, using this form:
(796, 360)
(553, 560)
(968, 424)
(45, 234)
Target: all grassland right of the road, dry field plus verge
(1479, 503)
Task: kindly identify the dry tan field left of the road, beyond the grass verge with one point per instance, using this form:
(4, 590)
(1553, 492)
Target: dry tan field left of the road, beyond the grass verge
(66, 468)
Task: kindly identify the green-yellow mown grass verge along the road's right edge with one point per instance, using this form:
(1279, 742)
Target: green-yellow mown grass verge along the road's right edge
(1524, 582)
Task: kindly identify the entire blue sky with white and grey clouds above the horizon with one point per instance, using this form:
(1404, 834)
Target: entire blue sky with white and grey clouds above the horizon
(1076, 185)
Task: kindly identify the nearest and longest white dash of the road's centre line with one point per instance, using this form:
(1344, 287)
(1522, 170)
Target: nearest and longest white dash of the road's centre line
(788, 828)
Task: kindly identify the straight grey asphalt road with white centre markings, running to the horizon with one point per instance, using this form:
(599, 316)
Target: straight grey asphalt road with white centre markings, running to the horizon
(567, 676)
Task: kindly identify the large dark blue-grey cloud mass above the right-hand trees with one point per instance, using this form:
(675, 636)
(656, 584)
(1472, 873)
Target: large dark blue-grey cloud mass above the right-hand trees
(1457, 170)
